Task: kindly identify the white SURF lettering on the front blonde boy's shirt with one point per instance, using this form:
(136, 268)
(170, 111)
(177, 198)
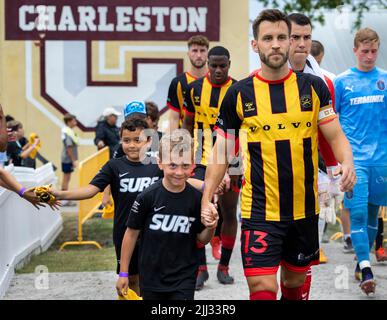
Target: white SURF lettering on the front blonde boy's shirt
(171, 223)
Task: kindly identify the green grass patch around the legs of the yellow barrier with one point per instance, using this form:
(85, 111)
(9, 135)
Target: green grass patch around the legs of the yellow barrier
(78, 258)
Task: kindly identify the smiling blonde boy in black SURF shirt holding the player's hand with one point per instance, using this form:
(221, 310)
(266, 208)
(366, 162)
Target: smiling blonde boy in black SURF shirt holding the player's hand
(168, 216)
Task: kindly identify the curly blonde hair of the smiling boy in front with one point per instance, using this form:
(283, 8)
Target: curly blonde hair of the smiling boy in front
(179, 143)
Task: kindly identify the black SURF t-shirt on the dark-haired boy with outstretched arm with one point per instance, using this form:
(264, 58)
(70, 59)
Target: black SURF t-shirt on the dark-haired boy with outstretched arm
(126, 179)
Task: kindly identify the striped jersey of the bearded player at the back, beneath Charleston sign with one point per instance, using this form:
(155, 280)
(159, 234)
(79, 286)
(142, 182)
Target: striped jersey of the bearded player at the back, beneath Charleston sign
(177, 91)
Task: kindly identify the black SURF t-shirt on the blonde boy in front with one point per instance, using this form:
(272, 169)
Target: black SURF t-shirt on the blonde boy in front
(169, 224)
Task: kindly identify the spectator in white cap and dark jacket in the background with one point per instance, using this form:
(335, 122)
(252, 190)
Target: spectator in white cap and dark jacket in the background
(107, 132)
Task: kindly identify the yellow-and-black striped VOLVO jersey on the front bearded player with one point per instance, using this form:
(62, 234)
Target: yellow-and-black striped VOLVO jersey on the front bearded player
(276, 123)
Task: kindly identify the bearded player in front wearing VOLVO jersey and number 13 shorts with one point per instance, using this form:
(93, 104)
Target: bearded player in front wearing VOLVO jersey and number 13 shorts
(275, 114)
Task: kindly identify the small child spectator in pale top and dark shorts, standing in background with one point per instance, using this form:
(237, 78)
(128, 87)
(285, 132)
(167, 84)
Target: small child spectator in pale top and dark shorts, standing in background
(69, 157)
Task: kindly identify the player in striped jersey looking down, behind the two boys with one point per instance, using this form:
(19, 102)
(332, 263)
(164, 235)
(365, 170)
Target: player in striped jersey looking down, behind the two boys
(202, 102)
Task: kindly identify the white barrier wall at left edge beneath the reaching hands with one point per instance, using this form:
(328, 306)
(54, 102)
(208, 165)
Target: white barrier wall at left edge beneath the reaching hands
(25, 231)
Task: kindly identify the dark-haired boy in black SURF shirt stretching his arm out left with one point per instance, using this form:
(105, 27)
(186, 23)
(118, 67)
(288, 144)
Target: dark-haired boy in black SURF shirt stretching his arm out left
(127, 176)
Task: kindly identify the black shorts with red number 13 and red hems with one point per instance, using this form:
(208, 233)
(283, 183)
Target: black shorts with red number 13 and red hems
(269, 244)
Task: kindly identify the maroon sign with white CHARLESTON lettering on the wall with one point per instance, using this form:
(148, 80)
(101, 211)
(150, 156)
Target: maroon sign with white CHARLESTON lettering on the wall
(111, 20)
